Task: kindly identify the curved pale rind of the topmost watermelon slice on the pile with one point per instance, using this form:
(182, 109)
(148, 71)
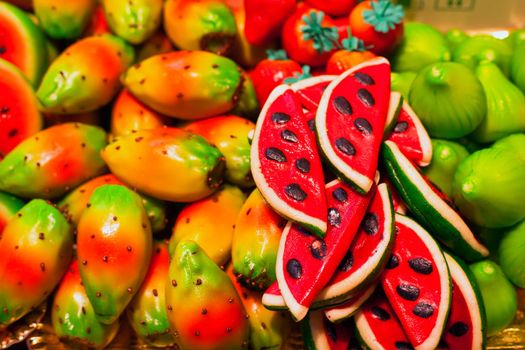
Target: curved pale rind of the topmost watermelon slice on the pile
(360, 182)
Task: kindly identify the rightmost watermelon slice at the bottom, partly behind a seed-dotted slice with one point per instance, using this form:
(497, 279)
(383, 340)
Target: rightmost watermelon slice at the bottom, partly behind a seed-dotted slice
(465, 329)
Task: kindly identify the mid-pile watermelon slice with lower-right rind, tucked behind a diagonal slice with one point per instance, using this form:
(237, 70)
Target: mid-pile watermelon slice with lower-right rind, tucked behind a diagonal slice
(367, 255)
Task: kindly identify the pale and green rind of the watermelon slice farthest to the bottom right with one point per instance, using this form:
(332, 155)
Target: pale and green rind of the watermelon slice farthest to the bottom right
(461, 274)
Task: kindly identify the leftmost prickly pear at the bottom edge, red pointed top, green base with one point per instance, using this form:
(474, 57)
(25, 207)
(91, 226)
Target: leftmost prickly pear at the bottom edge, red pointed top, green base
(73, 318)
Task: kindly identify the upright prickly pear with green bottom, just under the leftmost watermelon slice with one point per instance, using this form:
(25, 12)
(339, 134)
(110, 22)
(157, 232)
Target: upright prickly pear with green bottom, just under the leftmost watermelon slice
(255, 243)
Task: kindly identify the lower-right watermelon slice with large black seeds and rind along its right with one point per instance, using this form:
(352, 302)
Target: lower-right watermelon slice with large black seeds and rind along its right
(417, 284)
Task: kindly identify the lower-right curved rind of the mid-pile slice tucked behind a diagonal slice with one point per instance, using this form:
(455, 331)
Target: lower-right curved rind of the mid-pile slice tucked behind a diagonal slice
(343, 290)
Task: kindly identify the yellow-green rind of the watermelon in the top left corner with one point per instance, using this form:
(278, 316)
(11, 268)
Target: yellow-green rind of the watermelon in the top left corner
(36, 58)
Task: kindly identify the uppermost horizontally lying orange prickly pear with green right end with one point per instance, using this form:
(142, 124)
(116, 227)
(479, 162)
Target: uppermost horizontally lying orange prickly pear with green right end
(186, 84)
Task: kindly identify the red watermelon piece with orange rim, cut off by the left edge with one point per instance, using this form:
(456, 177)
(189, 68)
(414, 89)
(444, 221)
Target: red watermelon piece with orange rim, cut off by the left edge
(19, 115)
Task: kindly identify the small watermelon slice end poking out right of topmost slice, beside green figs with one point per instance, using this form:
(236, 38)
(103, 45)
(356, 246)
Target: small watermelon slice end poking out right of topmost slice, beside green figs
(411, 137)
